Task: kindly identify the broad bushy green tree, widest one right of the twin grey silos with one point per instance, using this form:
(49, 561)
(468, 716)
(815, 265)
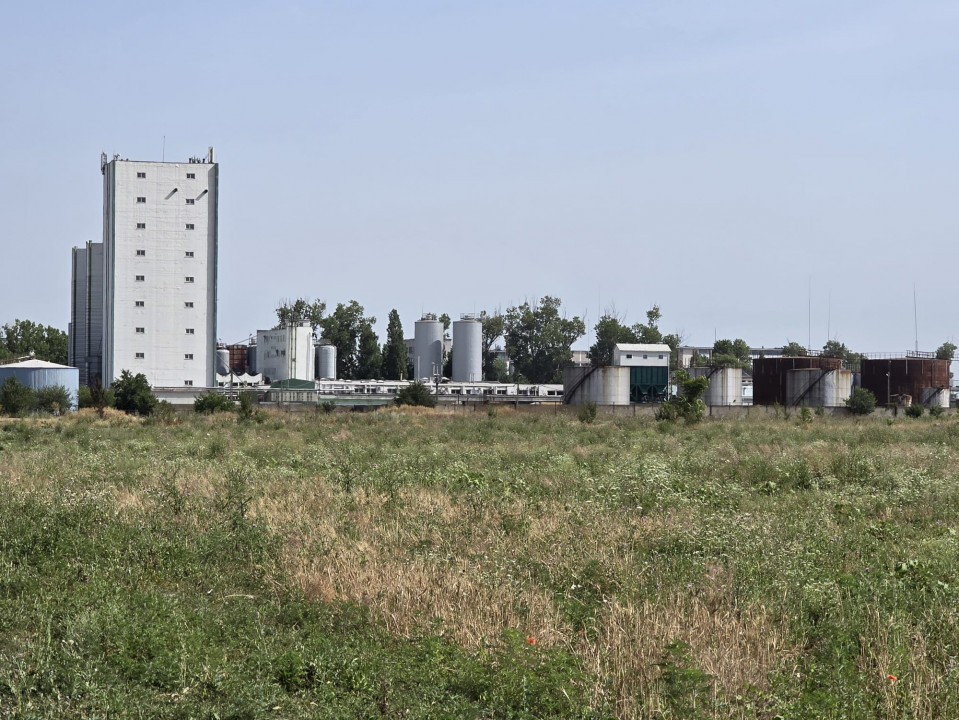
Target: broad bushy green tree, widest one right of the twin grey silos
(539, 341)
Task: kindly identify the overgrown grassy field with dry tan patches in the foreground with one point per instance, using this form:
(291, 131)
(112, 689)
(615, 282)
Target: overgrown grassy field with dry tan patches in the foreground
(408, 564)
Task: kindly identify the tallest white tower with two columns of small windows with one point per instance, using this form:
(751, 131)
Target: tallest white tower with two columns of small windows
(159, 270)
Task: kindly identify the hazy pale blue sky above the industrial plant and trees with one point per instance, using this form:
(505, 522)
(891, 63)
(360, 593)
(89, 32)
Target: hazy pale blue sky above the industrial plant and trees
(767, 171)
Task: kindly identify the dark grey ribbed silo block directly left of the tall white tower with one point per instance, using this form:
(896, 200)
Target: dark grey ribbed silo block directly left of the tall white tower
(85, 330)
